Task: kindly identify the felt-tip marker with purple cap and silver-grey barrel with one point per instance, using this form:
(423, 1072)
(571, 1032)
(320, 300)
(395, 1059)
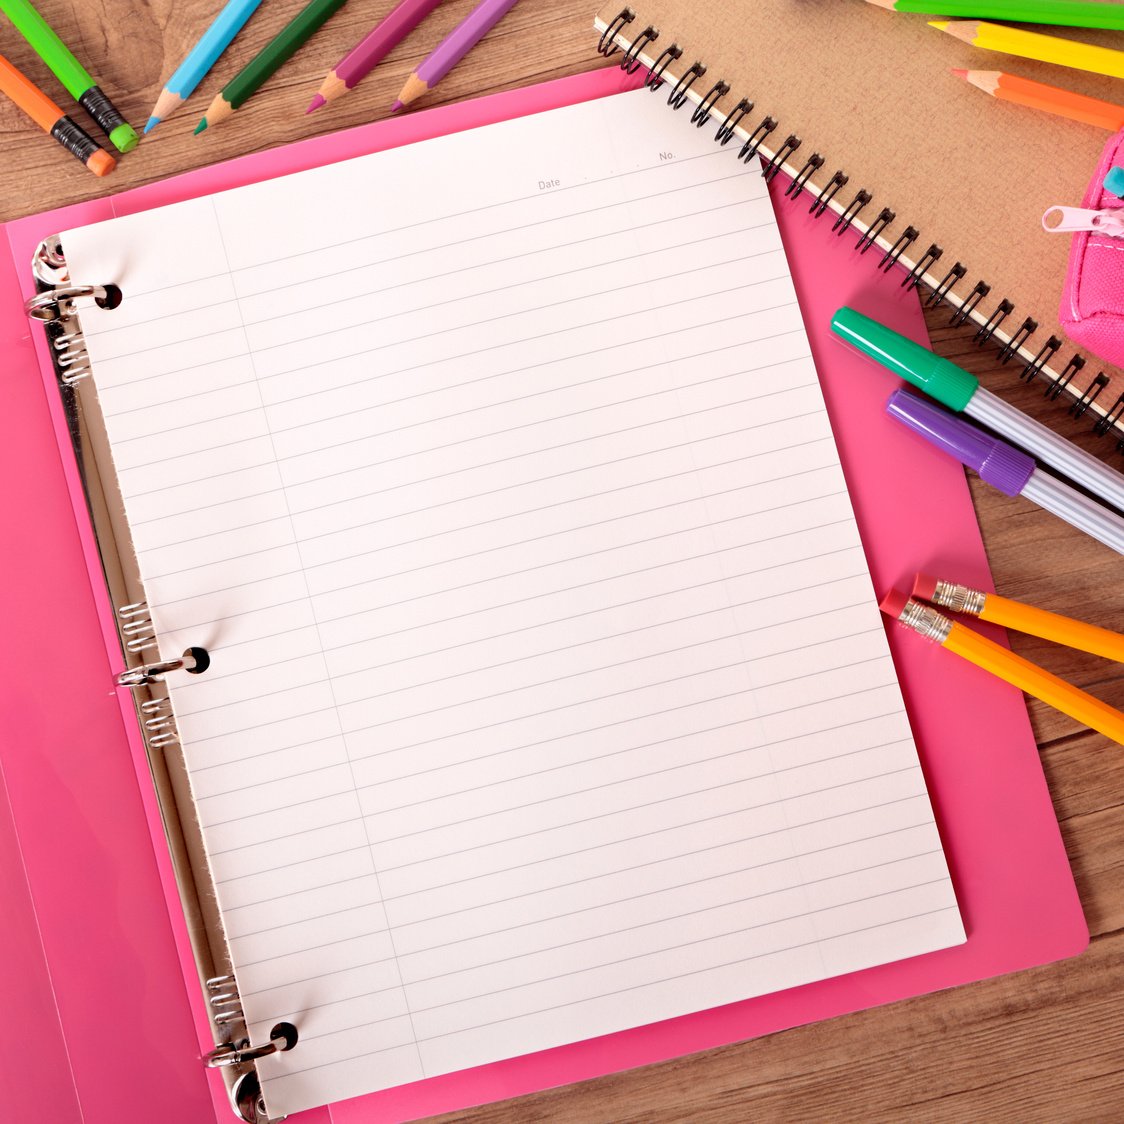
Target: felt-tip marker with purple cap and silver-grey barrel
(1007, 468)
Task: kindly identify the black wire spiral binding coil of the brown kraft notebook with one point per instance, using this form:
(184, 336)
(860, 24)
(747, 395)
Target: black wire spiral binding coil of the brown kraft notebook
(739, 119)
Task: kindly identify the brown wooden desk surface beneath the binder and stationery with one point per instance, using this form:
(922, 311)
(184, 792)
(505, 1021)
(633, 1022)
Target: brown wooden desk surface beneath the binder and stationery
(1038, 1046)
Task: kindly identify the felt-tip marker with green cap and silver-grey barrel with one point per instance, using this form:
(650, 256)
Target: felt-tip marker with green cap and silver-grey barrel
(954, 387)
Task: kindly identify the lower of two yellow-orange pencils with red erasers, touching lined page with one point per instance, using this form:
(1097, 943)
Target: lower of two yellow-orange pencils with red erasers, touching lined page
(1013, 669)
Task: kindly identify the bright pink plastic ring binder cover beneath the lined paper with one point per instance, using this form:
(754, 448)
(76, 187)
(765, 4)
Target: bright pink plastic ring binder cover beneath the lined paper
(111, 1016)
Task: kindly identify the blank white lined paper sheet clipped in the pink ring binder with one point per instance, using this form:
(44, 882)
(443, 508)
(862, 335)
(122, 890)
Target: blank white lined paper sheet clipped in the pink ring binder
(549, 693)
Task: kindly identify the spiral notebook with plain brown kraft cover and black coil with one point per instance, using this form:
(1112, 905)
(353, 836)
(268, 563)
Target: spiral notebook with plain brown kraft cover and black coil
(900, 158)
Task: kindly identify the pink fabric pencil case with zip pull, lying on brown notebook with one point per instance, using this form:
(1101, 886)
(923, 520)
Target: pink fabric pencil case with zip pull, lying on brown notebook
(1093, 301)
